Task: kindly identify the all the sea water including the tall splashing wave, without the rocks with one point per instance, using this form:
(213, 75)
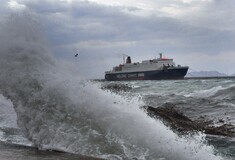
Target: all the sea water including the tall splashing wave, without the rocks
(46, 104)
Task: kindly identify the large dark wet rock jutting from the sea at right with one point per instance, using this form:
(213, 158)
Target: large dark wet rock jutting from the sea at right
(181, 124)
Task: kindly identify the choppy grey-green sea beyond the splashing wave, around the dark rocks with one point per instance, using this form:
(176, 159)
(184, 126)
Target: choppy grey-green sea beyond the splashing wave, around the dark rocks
(213, 99)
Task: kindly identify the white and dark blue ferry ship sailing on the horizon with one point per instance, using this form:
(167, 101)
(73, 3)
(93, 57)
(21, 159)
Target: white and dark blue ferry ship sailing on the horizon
(154, 69)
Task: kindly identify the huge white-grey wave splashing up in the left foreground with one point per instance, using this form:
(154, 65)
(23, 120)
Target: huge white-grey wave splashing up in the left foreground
(57, 110)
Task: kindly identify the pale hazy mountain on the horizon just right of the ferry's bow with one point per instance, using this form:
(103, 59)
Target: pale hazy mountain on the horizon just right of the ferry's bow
(206, 74)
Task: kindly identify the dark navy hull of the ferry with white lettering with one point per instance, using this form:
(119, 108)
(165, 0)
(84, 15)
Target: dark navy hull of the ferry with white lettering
(164, 74)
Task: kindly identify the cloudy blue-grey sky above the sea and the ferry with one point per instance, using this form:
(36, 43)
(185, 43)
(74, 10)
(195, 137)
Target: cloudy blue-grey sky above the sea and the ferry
(197, 33)
